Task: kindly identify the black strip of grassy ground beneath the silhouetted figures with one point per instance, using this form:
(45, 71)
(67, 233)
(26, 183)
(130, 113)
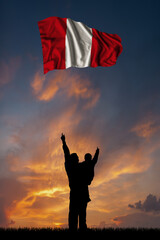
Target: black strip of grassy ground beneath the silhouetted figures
(49, 232)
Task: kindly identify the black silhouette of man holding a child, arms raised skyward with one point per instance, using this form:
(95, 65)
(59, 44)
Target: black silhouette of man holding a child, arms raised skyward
(78, 183)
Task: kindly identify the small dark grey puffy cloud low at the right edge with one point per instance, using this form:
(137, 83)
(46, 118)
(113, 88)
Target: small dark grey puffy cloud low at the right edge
(150, 204)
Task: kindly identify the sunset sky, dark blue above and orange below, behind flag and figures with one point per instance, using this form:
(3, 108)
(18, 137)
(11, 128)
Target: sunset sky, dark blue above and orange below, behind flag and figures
(116, 109)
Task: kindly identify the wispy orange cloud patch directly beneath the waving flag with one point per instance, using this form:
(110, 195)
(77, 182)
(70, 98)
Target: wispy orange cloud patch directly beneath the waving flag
(67, 84)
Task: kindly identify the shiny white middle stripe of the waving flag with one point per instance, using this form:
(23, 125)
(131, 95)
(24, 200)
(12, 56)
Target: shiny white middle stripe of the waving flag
(78, 43)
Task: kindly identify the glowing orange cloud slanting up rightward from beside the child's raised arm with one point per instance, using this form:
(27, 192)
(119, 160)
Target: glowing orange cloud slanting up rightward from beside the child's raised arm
(129, 160)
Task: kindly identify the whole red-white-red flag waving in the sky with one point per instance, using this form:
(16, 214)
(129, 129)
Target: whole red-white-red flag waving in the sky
(67, 43)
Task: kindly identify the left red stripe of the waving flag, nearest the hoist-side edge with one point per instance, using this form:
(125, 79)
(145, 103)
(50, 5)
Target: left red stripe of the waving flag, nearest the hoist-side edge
(52, 32)
